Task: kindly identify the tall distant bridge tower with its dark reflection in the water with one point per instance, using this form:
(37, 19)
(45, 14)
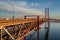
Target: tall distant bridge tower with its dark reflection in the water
(47, 23)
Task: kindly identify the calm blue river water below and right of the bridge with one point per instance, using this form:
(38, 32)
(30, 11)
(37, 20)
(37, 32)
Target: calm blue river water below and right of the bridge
(54, 32)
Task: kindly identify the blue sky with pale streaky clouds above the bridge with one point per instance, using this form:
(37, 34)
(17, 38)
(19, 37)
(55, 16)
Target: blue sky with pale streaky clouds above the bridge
(19, 8)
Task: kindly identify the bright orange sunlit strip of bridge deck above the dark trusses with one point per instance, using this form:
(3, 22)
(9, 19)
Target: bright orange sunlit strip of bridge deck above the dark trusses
(4, 23)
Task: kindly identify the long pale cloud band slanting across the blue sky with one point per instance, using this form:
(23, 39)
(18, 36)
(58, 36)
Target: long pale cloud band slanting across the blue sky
(20, 8)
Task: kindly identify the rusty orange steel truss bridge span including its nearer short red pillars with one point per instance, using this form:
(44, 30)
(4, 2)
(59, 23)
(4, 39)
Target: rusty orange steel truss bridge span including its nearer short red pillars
(18, 29)
